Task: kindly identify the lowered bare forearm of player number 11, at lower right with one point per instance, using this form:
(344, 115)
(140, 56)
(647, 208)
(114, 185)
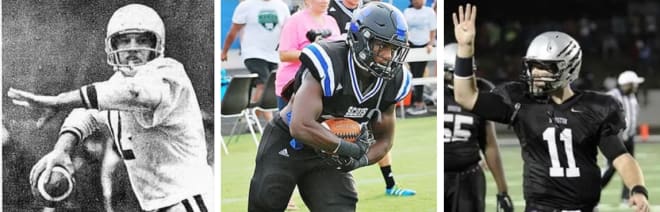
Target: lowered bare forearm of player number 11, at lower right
(632, 176)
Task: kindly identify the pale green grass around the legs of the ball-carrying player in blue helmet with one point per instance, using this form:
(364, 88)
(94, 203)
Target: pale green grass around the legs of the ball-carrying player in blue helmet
(414, 166)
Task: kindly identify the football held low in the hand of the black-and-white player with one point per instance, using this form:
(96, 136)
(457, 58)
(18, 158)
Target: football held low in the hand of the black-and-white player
(59, 186)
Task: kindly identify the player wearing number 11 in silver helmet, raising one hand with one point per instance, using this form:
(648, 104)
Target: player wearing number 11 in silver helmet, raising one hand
(560, 129)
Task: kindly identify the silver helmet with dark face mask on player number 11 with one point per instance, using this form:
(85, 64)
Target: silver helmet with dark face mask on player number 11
(557, 52)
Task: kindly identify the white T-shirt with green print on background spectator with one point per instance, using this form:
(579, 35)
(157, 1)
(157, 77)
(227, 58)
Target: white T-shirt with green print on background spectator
(263, 23)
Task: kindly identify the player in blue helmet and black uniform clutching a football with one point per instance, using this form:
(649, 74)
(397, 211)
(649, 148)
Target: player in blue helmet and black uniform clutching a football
(361, 79)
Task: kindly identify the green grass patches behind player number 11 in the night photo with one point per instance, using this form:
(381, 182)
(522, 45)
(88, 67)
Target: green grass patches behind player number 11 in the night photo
(646, 154)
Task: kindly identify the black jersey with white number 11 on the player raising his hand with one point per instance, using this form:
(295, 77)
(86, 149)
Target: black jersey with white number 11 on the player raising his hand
(559, 142)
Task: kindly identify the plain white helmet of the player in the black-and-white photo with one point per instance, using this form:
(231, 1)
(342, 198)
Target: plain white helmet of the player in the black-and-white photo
(134, 18)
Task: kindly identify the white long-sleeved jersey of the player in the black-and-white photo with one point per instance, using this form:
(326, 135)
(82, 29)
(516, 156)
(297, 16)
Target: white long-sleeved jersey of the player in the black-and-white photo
(156, 123)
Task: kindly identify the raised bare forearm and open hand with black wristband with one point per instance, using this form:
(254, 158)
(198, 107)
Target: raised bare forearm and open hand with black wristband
(465, 91)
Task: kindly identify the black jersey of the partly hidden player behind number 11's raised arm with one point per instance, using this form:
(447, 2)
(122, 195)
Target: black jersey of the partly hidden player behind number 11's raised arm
(464, 132)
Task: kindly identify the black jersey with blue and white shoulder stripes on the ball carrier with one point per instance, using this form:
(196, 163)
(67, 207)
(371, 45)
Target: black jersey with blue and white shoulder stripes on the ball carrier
(331, 63)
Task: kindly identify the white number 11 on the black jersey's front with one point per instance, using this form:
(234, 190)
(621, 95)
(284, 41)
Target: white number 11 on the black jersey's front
(566, 136)
